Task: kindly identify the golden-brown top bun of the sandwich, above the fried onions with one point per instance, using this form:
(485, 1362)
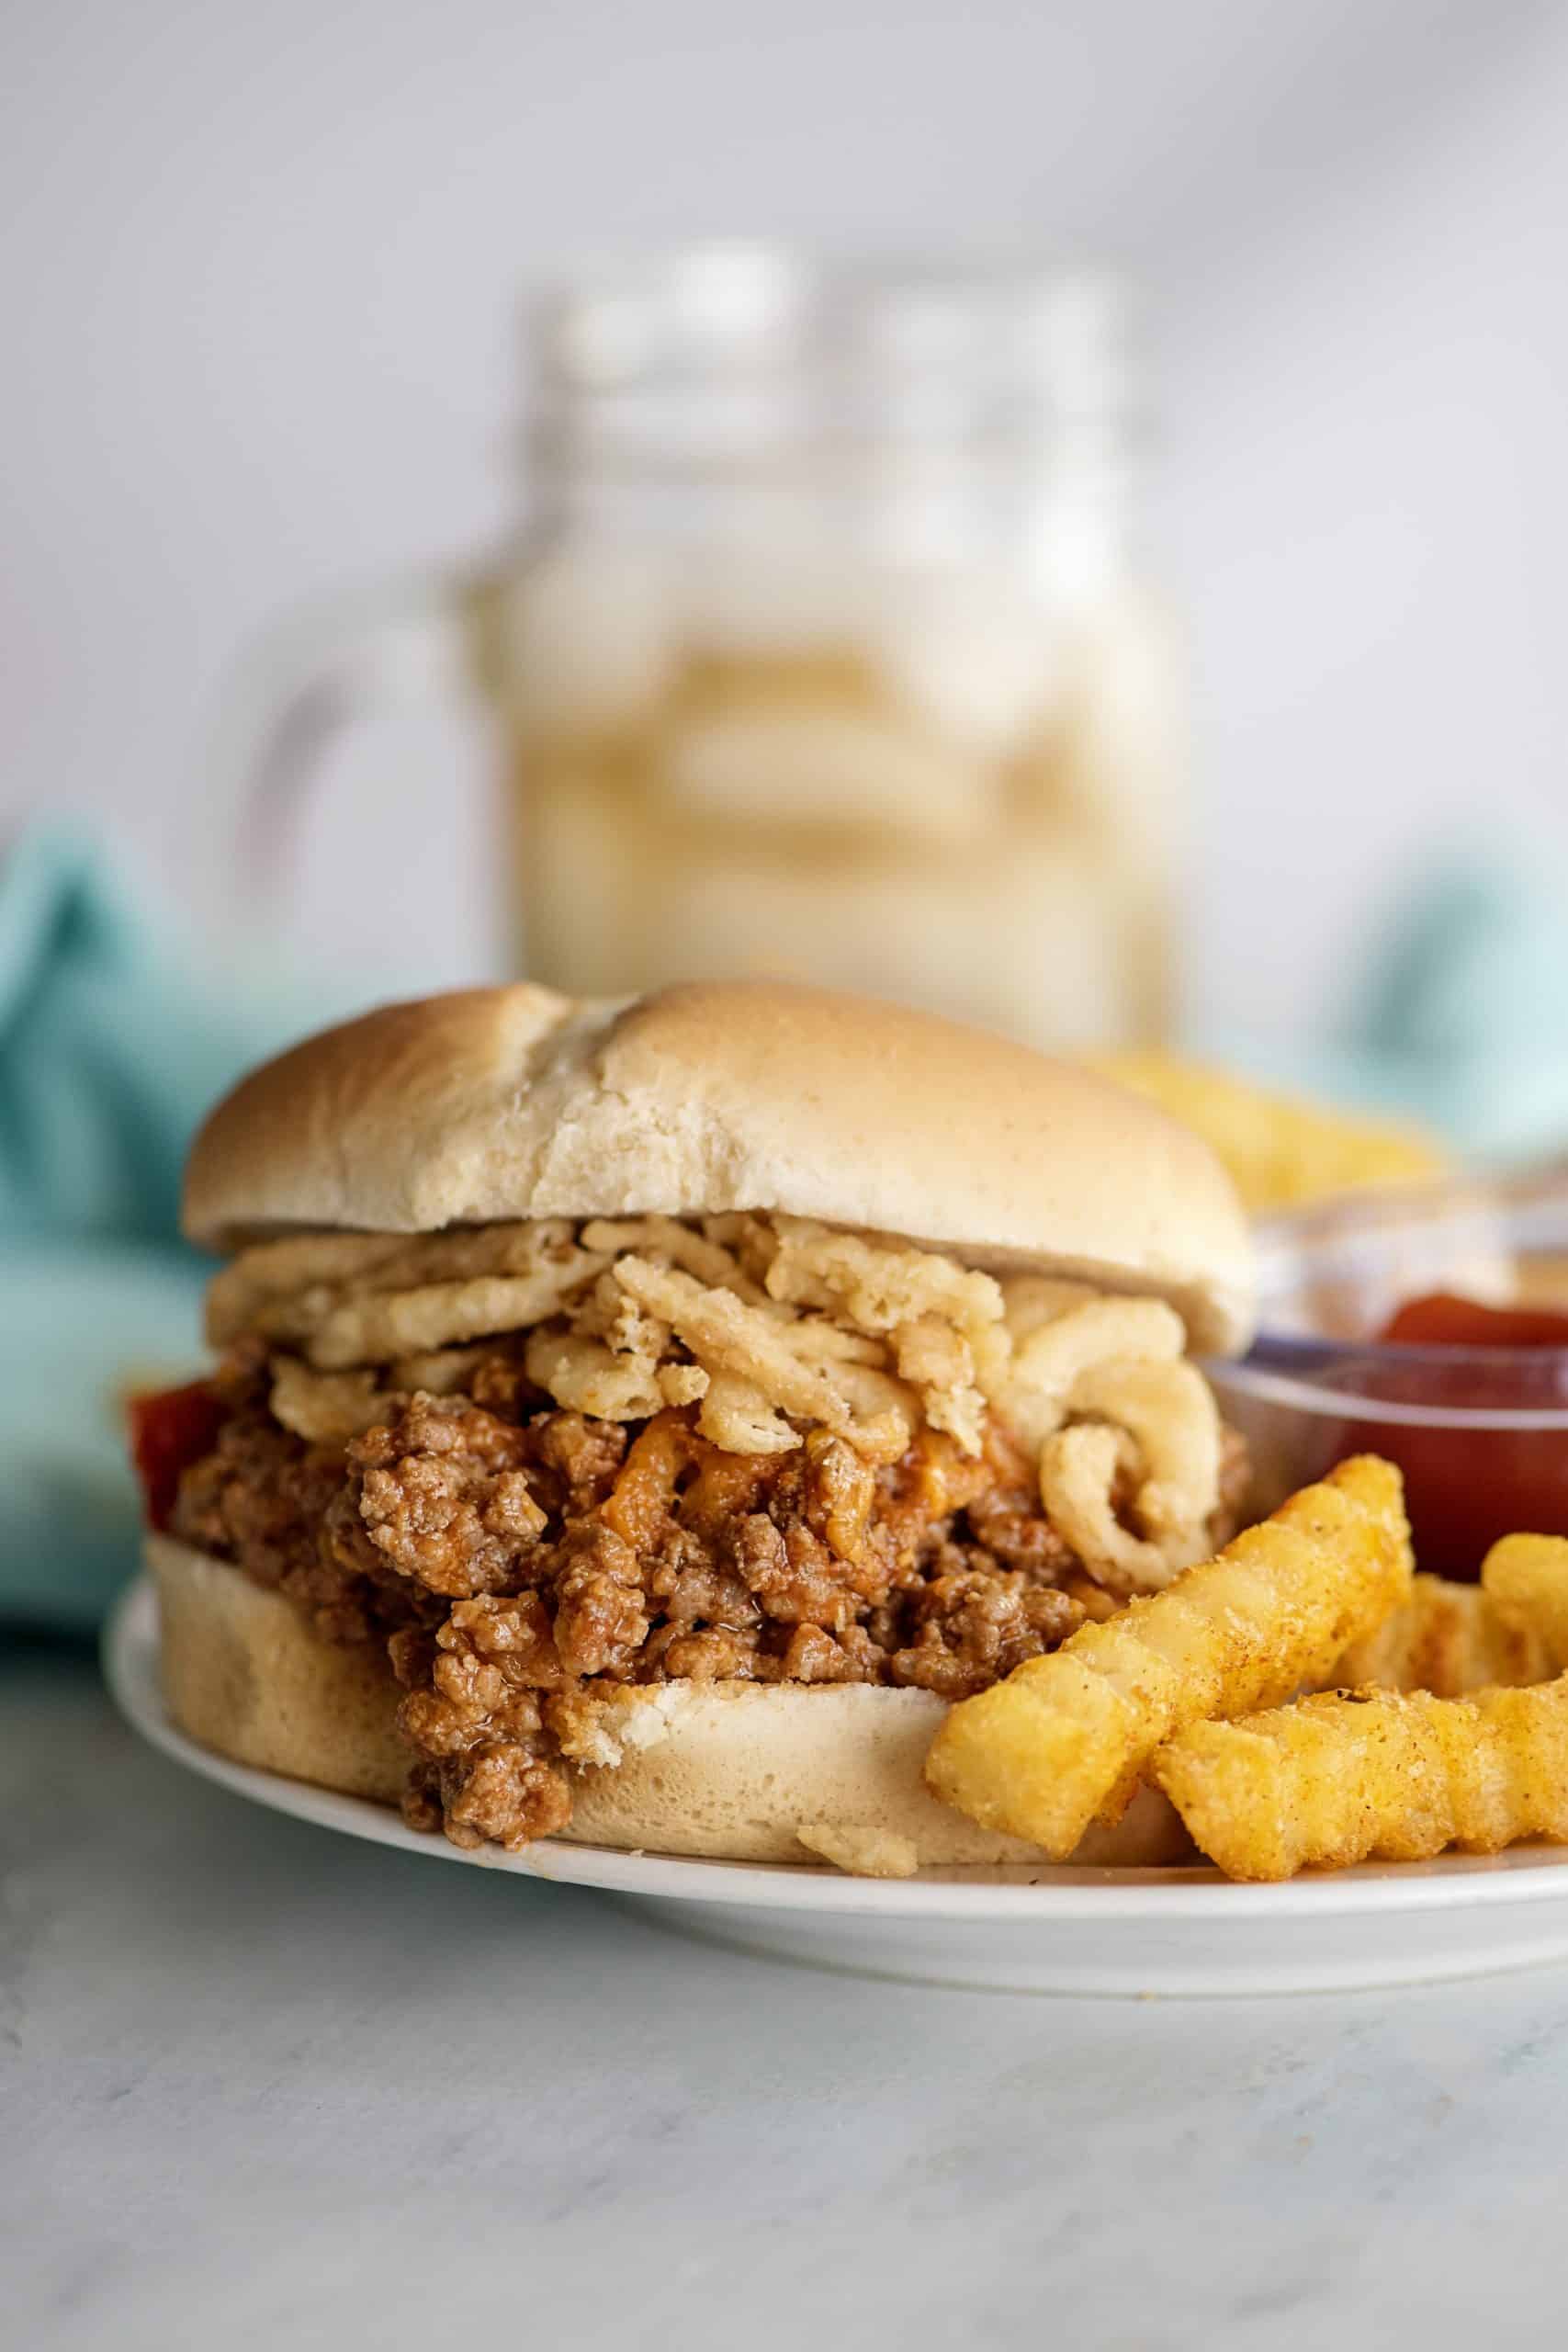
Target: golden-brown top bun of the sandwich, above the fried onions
(502, 1104)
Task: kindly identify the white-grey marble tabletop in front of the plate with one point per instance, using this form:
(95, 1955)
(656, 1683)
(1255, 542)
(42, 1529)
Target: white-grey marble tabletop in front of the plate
(262, 2087)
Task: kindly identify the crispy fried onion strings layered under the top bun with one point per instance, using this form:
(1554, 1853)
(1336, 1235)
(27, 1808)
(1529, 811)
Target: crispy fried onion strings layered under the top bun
(765, 1325)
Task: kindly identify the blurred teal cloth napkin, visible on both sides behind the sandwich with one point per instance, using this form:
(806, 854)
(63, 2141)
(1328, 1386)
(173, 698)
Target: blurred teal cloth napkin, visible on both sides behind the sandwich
(114, 1041)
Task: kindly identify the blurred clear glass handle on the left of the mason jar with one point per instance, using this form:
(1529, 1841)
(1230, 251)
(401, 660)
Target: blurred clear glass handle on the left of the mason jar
(297, 690)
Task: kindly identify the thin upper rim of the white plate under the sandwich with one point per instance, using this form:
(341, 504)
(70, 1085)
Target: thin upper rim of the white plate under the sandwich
(1527, 1873)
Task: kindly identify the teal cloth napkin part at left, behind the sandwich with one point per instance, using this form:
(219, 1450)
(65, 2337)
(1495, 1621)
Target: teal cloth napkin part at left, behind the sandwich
(112, 1048)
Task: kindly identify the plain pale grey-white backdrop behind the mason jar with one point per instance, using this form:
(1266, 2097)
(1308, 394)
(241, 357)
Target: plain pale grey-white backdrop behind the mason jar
(257, 295)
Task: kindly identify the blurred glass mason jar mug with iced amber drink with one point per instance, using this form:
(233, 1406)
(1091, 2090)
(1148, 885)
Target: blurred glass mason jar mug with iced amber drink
(824, 650)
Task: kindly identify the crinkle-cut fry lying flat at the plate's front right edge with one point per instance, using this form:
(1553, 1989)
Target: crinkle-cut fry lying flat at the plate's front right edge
(1393, 1775)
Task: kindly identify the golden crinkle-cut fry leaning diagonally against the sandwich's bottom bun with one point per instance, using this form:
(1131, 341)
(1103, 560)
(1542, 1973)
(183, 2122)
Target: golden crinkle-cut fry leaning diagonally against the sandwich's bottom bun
(1066, 1737)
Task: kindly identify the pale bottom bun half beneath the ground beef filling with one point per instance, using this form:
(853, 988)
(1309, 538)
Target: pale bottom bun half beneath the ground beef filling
(728, 1770)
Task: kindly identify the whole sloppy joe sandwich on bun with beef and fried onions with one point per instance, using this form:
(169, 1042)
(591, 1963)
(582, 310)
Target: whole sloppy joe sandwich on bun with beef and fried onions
(643, 1422)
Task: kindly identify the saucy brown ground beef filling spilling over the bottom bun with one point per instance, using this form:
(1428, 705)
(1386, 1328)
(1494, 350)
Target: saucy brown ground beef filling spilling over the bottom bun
(518, 1561)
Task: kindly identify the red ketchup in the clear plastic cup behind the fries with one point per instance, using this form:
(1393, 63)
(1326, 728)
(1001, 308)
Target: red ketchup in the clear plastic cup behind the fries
(1468, 1488)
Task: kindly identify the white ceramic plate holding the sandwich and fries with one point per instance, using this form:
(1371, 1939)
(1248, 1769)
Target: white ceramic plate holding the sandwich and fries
(1125, 1932)
